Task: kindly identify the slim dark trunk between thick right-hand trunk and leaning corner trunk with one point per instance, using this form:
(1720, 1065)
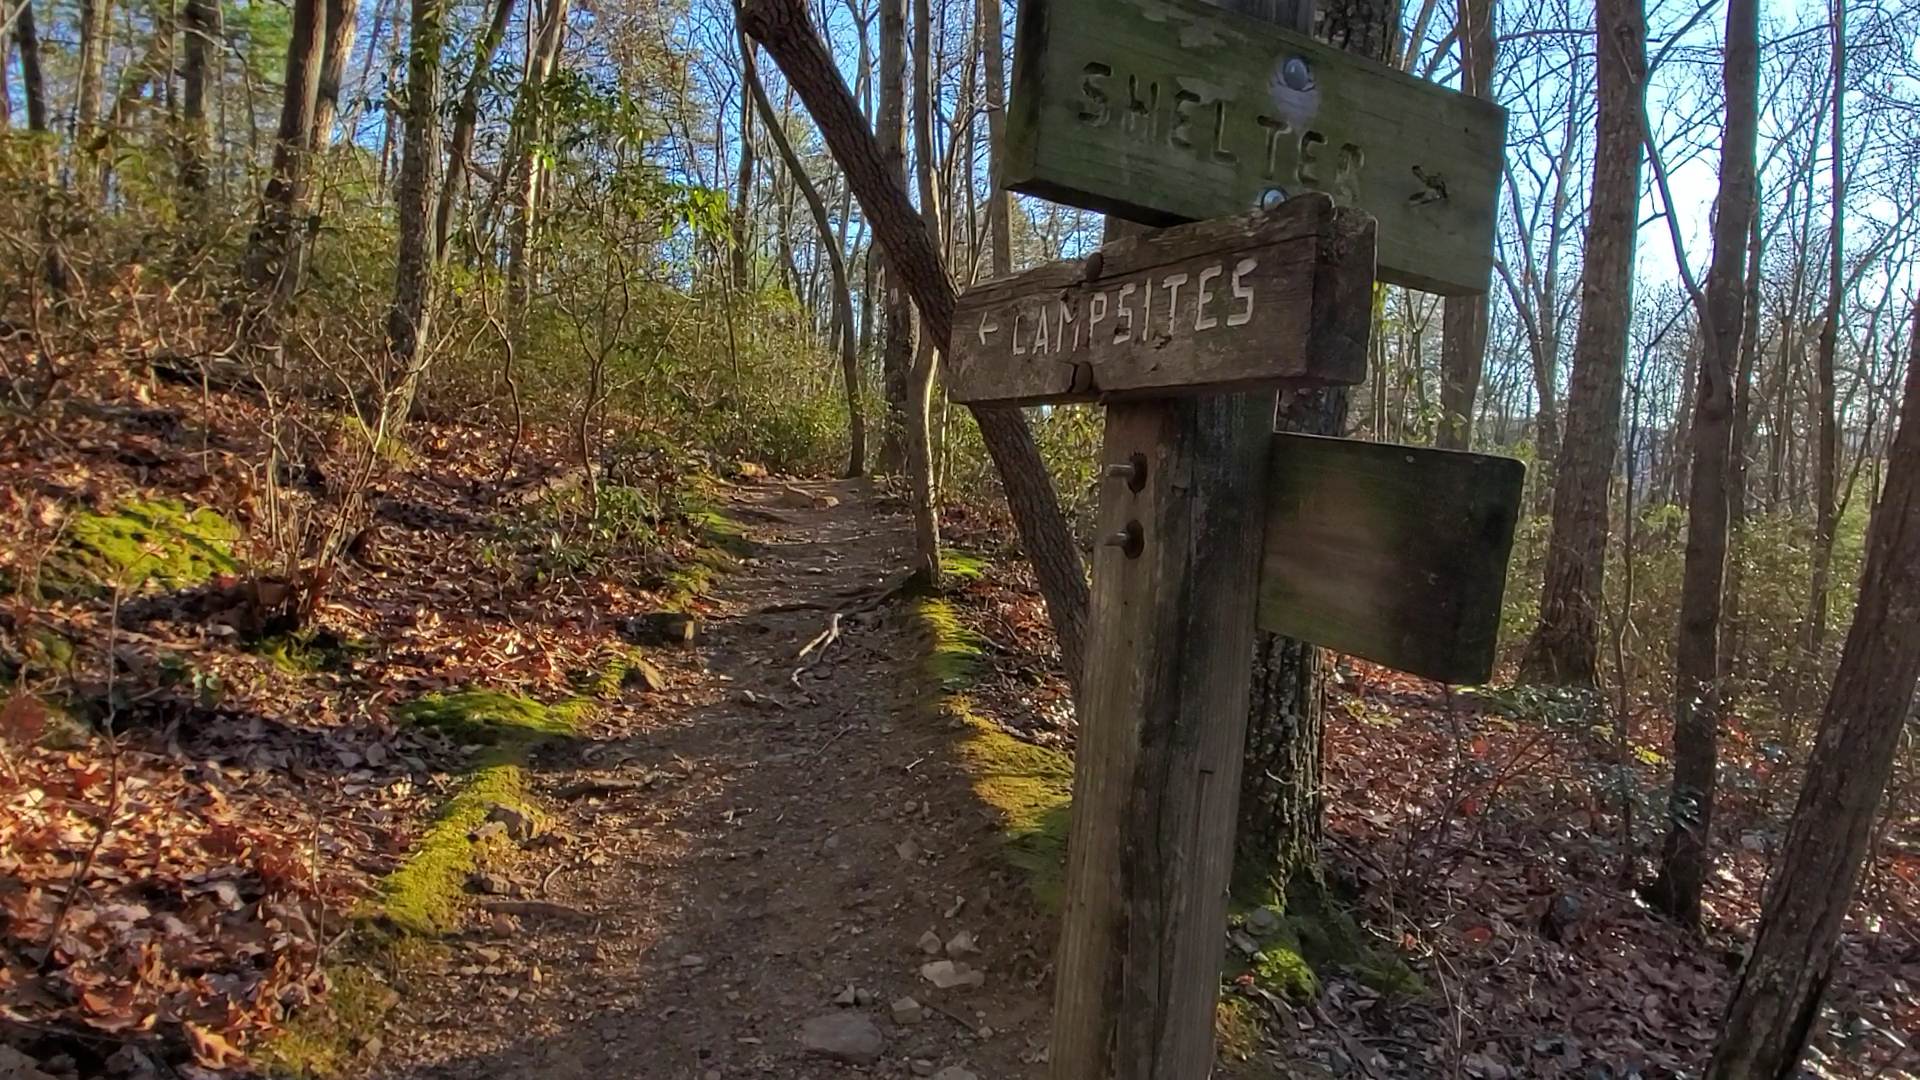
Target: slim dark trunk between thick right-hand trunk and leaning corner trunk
(1689, 854)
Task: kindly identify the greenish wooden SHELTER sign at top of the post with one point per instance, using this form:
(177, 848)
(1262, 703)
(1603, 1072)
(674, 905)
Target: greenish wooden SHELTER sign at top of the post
(1176, 110)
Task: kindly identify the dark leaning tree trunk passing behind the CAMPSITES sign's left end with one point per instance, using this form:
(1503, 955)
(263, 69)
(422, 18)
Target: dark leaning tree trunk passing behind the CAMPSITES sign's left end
(784, 28)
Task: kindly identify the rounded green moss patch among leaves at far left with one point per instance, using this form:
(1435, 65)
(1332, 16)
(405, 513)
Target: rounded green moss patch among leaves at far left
(141, 543)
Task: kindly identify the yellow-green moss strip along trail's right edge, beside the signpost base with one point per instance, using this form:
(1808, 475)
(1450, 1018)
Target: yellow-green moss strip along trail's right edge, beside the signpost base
(1028, 785)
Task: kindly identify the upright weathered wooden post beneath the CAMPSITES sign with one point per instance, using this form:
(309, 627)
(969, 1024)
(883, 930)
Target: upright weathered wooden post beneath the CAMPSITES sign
(1159, 760)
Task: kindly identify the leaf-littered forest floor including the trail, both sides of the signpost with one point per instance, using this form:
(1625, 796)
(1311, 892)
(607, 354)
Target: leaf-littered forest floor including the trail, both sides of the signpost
(496, 820)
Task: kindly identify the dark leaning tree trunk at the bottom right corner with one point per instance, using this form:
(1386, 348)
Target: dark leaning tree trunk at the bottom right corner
(1779, 994)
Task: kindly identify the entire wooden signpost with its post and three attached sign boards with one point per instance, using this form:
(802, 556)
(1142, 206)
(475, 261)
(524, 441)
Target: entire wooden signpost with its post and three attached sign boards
(1168, 112)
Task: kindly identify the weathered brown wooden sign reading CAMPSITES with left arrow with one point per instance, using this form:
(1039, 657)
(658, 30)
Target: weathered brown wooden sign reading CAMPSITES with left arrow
(1232, 305)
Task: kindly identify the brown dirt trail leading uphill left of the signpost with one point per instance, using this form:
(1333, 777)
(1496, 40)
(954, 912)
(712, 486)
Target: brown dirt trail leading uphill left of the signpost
(788, 843)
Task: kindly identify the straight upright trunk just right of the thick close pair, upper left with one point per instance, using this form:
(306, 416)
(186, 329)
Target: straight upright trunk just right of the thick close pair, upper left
(414, 197)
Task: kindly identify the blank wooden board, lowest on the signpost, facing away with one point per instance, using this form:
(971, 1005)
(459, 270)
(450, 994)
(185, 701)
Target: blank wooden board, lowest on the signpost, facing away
(1397, 554)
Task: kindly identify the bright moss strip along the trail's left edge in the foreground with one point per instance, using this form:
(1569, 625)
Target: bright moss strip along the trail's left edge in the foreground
(398, 925)
